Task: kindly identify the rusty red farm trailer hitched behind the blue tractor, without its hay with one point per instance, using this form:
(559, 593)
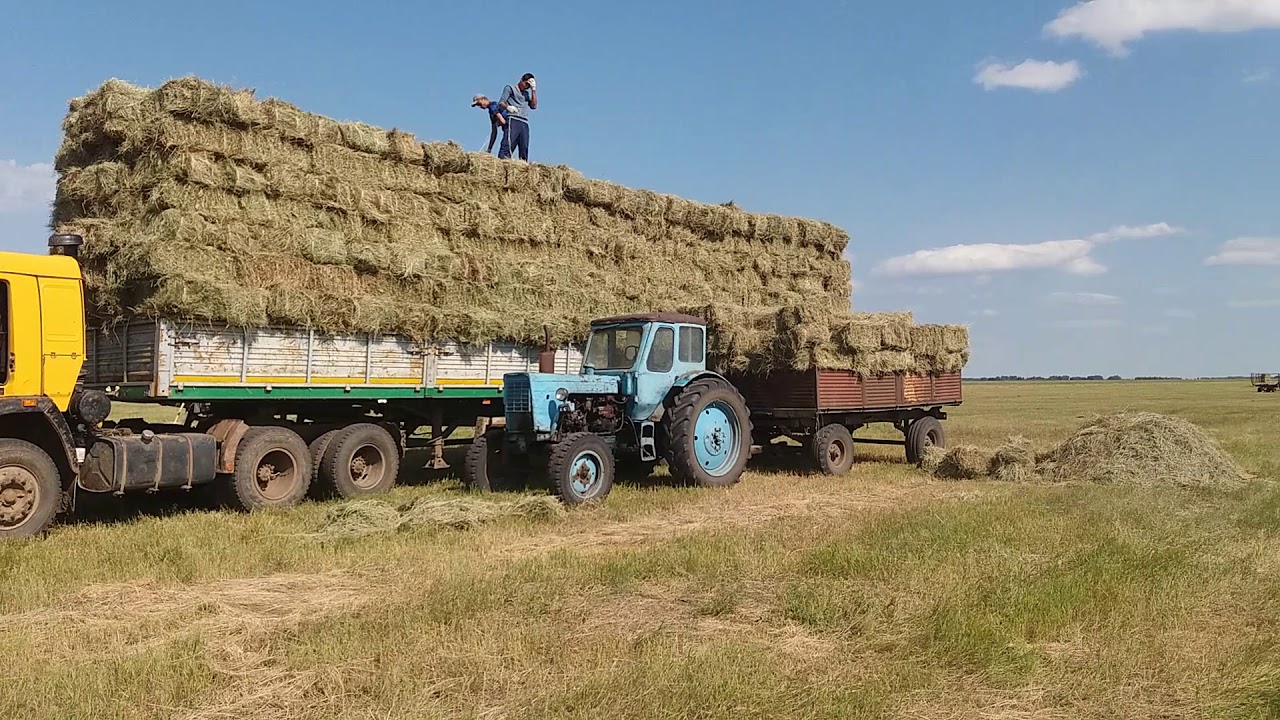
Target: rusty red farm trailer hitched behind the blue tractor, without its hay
(824, 409)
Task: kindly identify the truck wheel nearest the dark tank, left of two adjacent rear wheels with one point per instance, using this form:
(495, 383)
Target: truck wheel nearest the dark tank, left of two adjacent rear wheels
(273, 470)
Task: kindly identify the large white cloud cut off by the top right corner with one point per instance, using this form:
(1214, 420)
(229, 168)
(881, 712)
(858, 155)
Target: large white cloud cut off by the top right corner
(1114, 24)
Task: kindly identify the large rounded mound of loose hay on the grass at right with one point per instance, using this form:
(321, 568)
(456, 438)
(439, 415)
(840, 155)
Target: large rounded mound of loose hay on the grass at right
(1142, 449)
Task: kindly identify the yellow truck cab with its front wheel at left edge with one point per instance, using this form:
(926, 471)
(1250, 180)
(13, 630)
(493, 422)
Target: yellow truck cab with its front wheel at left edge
(42, 353)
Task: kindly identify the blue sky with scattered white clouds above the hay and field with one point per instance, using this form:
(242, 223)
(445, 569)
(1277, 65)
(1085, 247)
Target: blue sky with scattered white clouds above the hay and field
(1092, 188)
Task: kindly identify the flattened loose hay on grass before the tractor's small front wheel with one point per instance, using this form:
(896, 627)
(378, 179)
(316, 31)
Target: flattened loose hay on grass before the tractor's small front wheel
(374, 517)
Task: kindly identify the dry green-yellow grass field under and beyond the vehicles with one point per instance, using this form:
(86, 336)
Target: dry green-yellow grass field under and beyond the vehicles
(880, 595)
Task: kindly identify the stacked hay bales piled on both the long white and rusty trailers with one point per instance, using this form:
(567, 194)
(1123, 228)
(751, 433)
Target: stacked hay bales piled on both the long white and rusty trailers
(202, 202)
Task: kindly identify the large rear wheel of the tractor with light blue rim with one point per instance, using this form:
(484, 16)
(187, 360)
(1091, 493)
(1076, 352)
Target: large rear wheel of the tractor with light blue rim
(708, 435)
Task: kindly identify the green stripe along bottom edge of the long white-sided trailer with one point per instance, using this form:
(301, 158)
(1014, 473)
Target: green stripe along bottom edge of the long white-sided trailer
(208, 394)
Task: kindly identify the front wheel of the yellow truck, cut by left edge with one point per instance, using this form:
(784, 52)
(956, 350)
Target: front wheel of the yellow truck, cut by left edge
(31, 490)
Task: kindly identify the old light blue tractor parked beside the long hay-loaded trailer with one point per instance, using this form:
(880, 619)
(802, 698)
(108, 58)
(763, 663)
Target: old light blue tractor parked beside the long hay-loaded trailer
(644, 395)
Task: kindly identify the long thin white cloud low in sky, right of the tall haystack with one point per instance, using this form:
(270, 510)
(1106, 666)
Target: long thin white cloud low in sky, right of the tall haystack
(1068, 256)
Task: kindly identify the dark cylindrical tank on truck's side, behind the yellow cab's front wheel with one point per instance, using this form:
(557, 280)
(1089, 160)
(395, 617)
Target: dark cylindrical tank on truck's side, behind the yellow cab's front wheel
(149, 463)
